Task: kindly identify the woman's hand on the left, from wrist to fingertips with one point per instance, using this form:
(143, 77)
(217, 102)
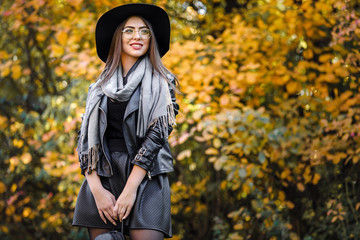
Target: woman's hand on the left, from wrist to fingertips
(105, 202)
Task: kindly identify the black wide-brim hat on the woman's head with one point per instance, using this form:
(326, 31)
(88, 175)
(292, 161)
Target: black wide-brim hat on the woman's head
(110, 20)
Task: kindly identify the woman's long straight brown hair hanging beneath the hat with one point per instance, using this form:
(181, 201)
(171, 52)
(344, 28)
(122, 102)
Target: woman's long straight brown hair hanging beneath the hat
(113, 60)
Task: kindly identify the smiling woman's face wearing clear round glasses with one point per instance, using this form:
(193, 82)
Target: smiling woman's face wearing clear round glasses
(136, 46)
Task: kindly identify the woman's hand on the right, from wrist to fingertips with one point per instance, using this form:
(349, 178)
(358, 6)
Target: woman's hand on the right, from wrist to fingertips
(124, 203)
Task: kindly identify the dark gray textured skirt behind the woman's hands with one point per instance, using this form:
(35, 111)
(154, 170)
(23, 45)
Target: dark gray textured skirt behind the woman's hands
(151, 209)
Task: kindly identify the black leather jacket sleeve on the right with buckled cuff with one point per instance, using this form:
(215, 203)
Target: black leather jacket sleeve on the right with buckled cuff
(153, 140)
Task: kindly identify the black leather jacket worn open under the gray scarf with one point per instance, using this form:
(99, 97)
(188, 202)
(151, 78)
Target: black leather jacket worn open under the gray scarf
(151, 153)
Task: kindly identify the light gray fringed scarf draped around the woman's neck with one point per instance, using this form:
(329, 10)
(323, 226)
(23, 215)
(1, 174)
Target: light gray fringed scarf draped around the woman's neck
(155, 107)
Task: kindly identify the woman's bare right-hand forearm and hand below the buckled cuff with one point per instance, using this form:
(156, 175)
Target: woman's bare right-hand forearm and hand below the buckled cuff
(127, 198)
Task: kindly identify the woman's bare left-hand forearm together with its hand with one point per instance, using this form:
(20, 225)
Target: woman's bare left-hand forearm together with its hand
(105, 200)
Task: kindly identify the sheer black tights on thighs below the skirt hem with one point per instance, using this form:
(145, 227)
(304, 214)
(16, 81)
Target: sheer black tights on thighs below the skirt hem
(135, 234)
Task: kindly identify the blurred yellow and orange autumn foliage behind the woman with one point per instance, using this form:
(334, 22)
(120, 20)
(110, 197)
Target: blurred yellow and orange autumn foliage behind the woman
(267, 144)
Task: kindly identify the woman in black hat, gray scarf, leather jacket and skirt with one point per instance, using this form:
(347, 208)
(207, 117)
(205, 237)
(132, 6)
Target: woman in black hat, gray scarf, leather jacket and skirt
(130, 110)
